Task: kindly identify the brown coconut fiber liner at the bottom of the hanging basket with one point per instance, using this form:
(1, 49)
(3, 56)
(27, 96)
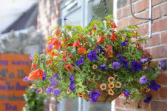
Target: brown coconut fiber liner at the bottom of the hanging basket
(104, 97)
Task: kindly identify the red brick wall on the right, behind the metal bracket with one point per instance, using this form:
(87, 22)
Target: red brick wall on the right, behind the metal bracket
(157, 46)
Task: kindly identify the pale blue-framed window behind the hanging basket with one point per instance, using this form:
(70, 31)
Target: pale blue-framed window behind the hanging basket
(80, 12)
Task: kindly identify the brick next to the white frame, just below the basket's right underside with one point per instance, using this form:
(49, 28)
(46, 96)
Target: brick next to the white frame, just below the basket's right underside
(120, 102)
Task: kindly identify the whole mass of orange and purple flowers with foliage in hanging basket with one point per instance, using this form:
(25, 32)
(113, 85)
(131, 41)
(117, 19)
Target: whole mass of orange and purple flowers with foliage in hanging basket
(94, 61)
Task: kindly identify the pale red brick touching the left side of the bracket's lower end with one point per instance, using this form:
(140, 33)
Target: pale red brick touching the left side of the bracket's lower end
(143, 29)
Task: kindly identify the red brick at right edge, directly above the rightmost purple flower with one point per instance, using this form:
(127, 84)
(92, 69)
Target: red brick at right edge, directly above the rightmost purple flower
(159, 52)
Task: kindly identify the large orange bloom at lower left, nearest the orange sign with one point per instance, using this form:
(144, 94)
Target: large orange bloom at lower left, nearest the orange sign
(36, 75)
